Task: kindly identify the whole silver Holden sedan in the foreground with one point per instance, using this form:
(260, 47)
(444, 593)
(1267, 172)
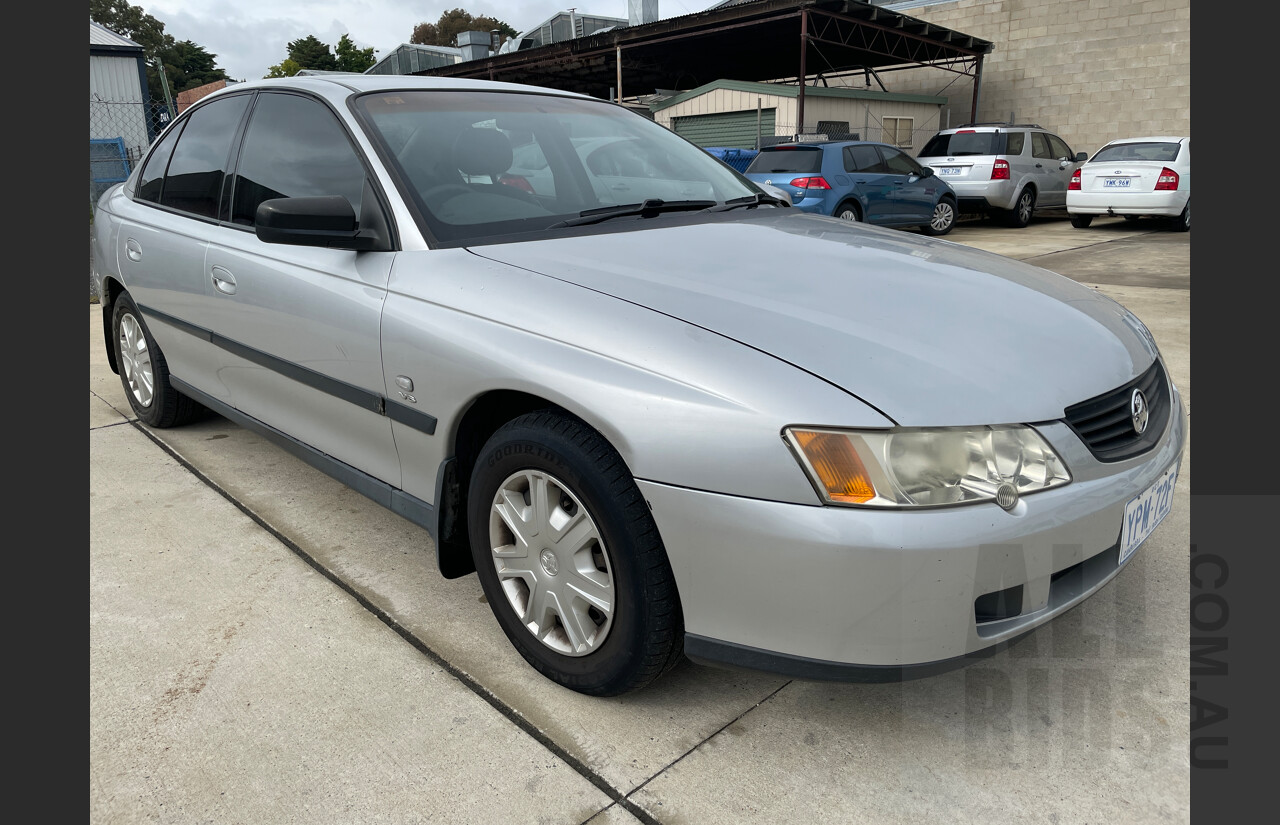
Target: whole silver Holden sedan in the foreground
(657, 411)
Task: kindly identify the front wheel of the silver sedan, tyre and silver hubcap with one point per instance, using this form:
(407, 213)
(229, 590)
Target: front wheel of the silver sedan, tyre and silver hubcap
(601, 615)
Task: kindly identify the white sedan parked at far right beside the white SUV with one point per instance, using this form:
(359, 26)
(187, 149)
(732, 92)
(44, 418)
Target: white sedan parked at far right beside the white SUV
(1135, 177)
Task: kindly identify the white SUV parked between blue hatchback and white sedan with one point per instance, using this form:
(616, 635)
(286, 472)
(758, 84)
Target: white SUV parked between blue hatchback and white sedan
(1008, 168)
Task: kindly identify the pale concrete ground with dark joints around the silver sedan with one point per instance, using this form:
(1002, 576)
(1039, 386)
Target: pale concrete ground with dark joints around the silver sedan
(268, 647)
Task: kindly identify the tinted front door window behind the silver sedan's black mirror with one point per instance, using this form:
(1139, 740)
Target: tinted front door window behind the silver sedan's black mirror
(294, 148)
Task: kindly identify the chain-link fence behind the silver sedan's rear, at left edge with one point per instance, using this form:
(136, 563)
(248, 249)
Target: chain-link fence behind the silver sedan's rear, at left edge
(120, 132)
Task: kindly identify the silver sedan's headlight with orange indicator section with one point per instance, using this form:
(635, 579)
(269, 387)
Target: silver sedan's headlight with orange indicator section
(927, 467)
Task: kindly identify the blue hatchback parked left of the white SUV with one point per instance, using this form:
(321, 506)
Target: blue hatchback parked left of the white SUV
(860, 181)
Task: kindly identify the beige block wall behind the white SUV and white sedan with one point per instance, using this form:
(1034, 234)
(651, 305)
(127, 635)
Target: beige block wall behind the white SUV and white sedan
(1091, 71)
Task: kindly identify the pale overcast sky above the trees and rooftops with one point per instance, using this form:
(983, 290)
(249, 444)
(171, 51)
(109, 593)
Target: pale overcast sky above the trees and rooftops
(249, 36)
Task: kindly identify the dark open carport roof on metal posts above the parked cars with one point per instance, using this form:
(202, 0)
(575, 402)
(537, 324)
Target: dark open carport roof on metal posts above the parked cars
(751, 42)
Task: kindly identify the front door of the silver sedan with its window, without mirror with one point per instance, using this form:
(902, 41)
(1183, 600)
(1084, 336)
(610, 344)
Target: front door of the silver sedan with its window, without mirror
(300, 326)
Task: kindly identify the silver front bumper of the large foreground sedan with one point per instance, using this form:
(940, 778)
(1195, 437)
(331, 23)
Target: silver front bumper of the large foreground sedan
(872, 595)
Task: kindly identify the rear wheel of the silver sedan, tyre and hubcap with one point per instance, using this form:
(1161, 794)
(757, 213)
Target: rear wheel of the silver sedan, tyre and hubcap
(144, 370)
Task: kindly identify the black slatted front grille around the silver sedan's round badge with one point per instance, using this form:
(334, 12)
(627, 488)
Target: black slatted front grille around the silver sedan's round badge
(1105, 424)
